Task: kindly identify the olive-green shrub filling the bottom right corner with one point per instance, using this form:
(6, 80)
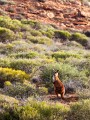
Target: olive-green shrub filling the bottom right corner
(80, 110)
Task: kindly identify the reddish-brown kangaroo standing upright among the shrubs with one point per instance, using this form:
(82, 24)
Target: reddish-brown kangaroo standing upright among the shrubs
(58, 85)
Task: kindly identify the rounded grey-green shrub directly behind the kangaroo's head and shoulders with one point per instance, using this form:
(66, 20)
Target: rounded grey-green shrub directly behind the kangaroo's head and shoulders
(64, 70)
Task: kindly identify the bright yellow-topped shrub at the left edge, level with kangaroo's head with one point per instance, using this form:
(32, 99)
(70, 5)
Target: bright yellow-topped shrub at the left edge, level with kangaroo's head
(8, 74)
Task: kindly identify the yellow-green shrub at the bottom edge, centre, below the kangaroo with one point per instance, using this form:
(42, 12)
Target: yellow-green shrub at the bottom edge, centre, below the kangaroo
(49, 111)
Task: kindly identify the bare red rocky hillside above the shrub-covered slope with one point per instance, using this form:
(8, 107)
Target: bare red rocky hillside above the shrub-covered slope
(66, 14)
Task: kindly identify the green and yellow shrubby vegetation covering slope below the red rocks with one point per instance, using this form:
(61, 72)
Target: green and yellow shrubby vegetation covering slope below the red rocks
(30, 51)
